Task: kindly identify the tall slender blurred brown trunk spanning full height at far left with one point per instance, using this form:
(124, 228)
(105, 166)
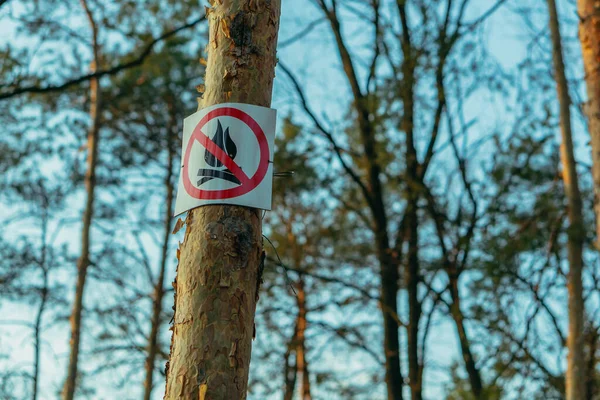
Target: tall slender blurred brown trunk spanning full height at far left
(90, 184)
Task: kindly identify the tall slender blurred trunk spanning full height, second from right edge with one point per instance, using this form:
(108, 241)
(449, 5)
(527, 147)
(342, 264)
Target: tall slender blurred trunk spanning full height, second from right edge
(575, 376)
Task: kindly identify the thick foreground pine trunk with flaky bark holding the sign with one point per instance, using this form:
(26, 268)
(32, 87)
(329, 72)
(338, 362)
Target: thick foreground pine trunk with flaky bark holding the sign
(218, 276)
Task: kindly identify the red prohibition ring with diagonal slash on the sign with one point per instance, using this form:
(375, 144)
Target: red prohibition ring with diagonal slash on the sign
(247, 183)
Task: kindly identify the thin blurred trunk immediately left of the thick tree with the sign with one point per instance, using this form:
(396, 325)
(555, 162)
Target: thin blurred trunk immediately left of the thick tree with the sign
(159, 290)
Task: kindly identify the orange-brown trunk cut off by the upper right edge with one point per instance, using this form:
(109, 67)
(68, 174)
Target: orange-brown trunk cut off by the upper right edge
(589, 34)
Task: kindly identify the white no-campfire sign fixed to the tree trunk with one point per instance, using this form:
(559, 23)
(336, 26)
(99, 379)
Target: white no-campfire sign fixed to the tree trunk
(227, 157)
